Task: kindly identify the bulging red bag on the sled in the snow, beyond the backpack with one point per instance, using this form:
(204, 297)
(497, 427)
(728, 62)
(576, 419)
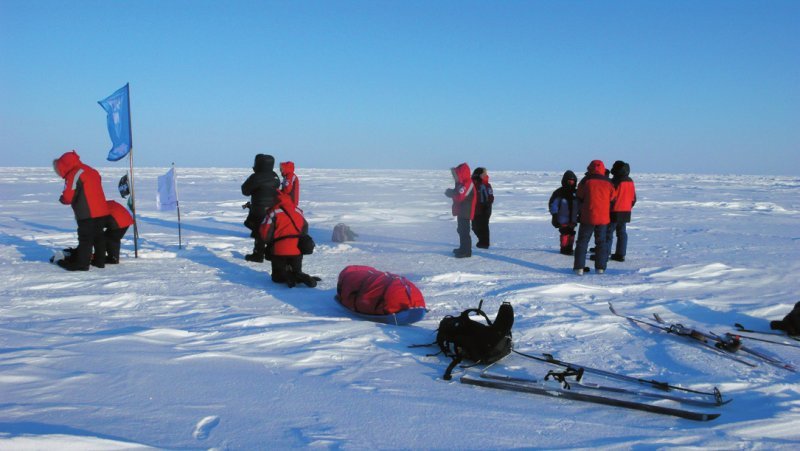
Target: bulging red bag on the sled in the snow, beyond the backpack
(367, 291)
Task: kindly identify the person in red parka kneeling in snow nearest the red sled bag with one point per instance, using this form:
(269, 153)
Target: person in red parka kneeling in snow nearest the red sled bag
(280, 231)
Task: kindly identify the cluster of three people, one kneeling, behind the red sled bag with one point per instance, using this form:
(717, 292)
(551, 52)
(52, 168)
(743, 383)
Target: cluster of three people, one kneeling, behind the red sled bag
(275, 221)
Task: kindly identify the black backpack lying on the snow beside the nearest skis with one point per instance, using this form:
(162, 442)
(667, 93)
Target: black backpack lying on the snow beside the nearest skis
(462, 338)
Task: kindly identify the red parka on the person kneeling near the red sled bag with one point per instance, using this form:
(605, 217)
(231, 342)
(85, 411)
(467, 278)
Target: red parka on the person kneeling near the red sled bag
(282, 226)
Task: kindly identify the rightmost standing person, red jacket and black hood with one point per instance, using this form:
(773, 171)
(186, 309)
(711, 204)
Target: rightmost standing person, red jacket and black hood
(621, 209)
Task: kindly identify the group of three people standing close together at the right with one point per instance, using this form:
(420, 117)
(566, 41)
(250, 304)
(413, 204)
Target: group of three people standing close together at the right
(601, 206)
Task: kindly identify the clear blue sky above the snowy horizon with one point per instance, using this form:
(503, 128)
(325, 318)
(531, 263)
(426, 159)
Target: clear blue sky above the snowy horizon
(669, 86)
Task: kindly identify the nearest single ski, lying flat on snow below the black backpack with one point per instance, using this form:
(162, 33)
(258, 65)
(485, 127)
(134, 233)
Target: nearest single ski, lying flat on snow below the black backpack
(556, 392)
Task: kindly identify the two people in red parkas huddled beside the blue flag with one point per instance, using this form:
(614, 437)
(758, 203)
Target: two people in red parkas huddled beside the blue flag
(101, 223)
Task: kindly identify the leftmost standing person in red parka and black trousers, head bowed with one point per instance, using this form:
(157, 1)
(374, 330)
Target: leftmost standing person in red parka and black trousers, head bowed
(83, 190)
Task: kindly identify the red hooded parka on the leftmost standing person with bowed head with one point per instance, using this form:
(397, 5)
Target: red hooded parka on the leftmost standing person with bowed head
(83, 187)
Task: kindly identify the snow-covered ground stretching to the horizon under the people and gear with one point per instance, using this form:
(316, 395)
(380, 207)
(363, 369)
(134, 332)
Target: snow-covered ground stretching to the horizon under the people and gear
(195, 348)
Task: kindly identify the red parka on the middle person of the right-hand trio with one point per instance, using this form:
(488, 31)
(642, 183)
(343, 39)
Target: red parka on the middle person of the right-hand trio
(595, 194)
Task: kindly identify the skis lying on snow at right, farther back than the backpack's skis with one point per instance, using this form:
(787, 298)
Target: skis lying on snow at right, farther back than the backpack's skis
(725, 346)
